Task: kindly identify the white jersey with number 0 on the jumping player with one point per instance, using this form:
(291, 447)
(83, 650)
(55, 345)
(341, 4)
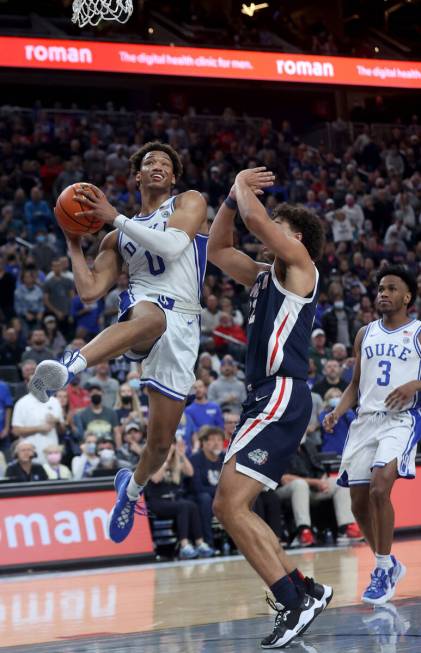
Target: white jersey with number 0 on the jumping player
(150, 276)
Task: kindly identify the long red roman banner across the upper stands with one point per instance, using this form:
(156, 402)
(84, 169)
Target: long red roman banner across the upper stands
(17, 52)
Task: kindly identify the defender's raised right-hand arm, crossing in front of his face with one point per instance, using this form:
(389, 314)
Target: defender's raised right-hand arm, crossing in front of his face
(290, 250)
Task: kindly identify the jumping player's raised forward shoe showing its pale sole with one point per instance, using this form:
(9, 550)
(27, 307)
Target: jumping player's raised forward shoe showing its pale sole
(51, 375)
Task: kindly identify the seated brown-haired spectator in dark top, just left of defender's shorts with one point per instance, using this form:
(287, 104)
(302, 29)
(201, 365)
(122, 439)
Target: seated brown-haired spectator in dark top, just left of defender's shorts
(207, 464)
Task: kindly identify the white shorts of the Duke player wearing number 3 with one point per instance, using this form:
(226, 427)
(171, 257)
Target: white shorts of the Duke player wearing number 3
(374, 440)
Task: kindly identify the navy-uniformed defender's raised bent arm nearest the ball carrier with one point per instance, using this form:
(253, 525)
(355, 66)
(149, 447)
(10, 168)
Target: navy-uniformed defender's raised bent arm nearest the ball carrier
(221, 250)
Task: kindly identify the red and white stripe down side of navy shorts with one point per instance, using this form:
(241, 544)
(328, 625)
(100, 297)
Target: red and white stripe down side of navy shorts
(273, 412)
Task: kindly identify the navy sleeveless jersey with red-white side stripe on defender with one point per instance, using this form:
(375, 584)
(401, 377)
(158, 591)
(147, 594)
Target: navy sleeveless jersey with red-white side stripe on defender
(279, 330)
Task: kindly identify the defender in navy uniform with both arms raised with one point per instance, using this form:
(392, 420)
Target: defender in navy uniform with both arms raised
(278, 406)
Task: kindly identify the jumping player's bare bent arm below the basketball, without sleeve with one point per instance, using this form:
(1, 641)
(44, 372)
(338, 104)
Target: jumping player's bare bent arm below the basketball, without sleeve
(94, 284)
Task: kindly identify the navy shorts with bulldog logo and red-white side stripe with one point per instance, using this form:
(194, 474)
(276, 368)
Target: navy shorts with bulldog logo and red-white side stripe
(274, 419)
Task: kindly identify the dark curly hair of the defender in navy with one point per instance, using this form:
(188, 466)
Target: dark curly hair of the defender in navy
(305, 222)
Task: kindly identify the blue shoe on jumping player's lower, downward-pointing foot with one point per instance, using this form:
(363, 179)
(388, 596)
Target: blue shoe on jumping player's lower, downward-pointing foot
(120, 521)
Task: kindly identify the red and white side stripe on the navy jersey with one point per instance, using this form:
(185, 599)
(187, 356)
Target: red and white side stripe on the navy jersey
(284, 323)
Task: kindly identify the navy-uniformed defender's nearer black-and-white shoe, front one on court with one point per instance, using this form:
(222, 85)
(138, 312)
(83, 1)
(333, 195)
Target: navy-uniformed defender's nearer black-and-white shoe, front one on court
(290, 623)
